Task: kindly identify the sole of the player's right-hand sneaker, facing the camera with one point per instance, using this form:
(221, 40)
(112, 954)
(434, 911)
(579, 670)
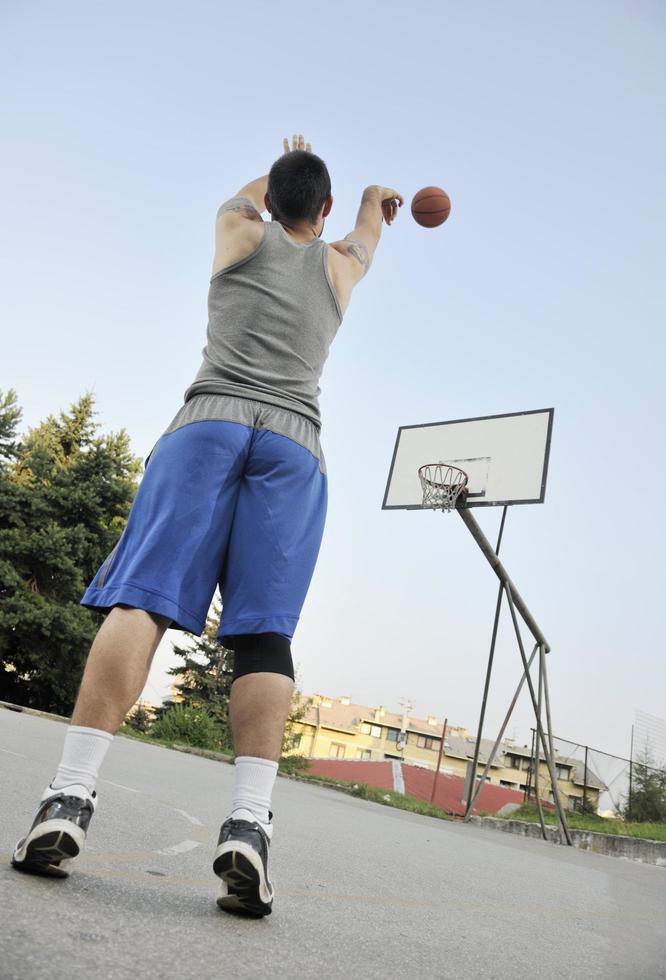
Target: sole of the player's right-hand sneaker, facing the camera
(244, 887)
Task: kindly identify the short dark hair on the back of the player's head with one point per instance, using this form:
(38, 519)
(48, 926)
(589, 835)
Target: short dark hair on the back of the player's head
(298, 185)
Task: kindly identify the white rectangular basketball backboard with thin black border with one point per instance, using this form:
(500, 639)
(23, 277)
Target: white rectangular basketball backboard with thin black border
(504, 456)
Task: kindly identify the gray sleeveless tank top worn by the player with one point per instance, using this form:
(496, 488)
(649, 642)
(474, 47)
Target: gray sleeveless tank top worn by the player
(271, 320)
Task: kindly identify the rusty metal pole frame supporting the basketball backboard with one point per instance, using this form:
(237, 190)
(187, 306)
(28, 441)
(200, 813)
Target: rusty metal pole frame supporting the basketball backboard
(539, 700)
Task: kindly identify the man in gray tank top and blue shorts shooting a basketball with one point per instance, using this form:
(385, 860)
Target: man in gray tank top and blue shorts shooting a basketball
(234, 494)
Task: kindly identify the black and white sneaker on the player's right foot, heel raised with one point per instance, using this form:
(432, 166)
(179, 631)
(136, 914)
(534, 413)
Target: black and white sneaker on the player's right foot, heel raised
(241, 861)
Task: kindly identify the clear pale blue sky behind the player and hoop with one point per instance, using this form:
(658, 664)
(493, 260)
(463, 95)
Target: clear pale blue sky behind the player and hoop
(125, 126)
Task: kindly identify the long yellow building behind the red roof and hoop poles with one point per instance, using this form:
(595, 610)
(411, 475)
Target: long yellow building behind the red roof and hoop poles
(335, 728)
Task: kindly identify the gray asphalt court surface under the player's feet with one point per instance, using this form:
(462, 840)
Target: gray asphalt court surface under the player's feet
(360, 888)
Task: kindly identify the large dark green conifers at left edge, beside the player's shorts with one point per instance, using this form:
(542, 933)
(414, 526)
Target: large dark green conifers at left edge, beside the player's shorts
(65, 494)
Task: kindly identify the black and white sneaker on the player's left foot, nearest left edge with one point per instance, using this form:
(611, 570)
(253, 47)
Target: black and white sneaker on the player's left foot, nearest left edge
(57, 835)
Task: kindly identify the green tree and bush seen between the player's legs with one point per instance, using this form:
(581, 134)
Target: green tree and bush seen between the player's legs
(204, 678)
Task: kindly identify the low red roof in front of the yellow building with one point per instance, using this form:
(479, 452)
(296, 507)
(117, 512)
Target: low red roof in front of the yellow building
(418, 783)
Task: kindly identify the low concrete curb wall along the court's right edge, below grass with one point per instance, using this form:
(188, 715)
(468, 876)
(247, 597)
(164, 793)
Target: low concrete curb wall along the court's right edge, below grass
(630, 848)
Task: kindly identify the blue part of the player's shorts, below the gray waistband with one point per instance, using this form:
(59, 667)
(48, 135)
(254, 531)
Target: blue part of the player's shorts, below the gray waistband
(225, 504)
